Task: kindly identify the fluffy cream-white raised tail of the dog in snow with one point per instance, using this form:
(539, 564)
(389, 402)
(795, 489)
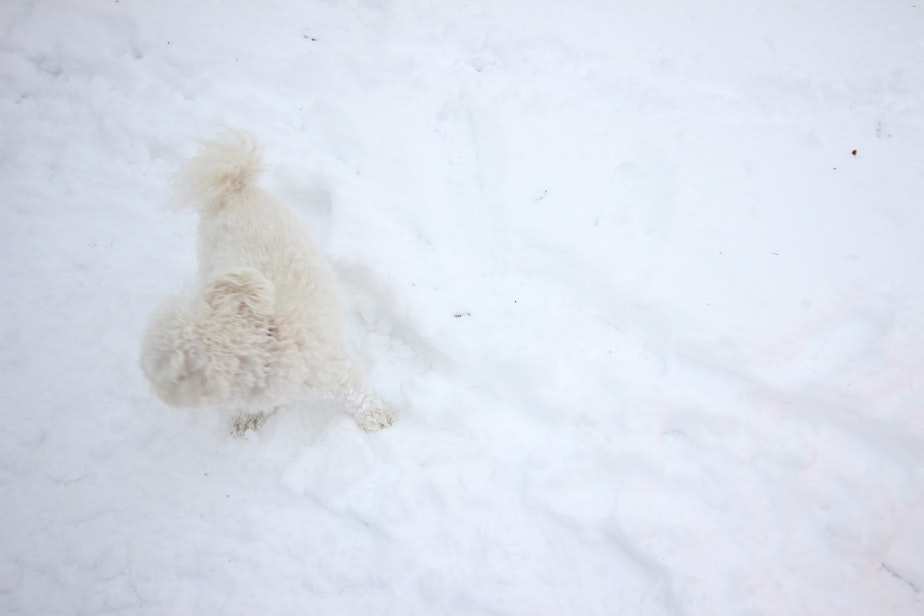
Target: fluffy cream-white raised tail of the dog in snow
(222, 168)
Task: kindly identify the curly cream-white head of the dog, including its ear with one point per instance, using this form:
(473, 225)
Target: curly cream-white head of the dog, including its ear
(215, 345)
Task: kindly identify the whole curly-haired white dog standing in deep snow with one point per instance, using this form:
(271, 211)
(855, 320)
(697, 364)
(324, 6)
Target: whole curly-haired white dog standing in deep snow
(261, 326)
